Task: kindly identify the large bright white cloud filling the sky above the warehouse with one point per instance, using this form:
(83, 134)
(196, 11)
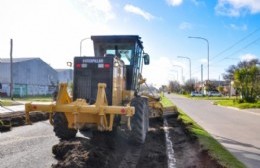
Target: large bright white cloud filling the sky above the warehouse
(51, 29)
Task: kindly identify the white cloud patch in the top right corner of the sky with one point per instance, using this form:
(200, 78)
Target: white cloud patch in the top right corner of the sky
(237, 7)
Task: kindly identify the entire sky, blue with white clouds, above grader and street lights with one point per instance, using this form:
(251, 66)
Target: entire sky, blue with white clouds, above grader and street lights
(52, 30)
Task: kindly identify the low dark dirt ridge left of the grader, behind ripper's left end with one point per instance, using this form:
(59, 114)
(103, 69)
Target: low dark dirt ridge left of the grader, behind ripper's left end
(14, 119)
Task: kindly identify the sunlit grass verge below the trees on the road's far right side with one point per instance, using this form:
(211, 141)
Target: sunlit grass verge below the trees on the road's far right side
(233, 103)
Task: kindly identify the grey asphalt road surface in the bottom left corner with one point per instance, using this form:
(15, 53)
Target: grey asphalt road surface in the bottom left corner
(28, 146)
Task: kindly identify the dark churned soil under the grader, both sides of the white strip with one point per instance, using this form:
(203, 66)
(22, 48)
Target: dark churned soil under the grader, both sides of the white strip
(112, 150)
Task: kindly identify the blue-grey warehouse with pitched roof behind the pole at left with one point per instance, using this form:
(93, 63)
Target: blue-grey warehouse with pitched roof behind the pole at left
(31, 76)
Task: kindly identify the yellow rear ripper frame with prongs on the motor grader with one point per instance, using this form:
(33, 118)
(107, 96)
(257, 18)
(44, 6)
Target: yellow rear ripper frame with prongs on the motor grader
(79, 112)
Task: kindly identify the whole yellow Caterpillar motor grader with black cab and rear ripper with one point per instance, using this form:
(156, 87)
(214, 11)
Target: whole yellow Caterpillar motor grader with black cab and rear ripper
(105, 91)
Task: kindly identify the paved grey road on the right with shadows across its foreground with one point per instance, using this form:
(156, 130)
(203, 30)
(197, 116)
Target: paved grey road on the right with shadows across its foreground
(237, 130)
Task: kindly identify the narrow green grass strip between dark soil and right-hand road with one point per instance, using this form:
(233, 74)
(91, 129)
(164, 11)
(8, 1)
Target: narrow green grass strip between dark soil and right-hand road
(208, 143)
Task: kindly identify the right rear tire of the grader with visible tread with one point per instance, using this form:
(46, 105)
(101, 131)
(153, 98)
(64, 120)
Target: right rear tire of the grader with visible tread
(139, 120)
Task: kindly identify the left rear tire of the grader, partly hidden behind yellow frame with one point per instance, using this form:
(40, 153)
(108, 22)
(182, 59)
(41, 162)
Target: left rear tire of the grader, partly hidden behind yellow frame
(60, 127)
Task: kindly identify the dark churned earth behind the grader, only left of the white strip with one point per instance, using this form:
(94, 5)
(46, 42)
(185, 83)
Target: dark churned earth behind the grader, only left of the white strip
(110, 150)
